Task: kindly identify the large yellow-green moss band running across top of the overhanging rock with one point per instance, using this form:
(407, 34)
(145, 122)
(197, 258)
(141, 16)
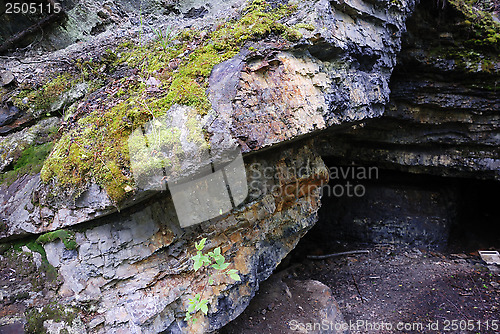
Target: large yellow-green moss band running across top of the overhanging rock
(97, 148)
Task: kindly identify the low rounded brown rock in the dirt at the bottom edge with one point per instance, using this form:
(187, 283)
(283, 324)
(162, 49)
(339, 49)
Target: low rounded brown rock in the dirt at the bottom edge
(286, 305)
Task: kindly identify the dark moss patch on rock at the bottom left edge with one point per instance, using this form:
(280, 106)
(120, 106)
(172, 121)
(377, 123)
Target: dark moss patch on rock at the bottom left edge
(35, 317)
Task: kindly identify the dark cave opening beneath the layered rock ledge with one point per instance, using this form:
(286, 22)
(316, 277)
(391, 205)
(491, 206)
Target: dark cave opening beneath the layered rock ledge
(401, 208)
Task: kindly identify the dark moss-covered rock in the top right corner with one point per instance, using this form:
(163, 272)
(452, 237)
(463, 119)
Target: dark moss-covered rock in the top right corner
(460, 39)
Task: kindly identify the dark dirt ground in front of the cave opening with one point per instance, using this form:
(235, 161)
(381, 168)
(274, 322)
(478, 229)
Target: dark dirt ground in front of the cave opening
(397, 289)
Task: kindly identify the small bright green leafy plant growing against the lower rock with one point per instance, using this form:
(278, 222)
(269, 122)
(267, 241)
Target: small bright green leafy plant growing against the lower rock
(202, 261)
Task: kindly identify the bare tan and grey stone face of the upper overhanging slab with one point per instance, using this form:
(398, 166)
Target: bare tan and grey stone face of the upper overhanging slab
(338, 72)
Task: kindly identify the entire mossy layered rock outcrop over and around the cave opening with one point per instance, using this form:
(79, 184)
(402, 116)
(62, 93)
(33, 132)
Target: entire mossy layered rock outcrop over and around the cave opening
(294, 74)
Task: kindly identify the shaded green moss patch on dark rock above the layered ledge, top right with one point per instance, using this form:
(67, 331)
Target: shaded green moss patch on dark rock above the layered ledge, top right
(466, 36)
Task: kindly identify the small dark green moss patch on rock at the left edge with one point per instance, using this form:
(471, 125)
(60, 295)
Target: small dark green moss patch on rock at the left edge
(30, 162)
